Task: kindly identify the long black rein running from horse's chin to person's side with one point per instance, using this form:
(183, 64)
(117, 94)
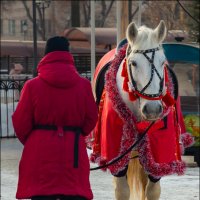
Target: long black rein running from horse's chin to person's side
(126, 152)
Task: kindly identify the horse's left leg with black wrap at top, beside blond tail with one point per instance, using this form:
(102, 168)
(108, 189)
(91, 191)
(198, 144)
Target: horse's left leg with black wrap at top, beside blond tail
(122, 191)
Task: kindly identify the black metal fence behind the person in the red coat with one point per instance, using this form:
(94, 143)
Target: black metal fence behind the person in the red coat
(10, 87)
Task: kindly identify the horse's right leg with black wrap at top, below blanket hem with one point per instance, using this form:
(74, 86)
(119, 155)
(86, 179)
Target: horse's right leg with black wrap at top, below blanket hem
(153, 189)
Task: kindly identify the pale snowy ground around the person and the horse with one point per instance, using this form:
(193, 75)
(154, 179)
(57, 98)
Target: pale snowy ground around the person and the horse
(173, 187)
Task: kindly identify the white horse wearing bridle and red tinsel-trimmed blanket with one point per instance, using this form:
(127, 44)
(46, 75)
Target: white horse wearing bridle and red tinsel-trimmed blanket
(138, 90)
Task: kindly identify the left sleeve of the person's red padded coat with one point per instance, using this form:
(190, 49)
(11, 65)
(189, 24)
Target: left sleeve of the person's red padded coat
(22, 118)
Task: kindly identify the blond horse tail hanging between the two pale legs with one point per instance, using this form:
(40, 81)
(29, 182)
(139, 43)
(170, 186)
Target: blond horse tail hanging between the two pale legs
(137, 179)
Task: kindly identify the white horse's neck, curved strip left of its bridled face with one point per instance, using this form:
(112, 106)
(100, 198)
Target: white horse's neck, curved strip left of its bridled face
(133, 106)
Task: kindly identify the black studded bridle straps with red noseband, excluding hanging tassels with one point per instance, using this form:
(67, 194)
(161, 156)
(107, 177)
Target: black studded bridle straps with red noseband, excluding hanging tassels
(133, 84)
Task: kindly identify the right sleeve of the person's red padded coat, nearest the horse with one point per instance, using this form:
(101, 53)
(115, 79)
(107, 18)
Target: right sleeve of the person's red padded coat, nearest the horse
(91, 111)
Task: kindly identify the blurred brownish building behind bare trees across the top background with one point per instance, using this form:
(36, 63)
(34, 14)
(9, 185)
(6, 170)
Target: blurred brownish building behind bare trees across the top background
(54, 16)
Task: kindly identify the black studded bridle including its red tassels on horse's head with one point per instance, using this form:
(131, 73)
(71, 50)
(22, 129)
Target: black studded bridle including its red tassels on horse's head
(130, 85)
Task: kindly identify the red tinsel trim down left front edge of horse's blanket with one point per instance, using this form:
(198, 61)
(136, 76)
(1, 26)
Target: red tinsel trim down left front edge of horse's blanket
(129, 130)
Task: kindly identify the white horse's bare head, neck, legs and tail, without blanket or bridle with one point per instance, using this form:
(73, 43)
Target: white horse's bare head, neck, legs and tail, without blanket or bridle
(141, 72)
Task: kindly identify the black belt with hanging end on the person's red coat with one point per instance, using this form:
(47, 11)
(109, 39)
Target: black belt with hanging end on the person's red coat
(75, 129)
